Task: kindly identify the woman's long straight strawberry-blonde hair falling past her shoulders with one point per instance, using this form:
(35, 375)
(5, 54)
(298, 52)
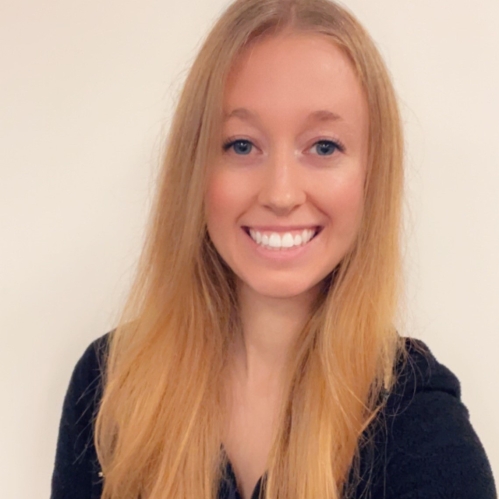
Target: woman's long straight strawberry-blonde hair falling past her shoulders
(159, 427)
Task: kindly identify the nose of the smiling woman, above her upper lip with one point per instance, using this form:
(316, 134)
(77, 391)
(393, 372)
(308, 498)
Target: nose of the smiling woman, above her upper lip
(282, 189)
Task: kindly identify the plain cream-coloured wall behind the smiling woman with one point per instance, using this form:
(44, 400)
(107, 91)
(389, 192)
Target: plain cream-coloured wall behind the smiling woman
(86, 92)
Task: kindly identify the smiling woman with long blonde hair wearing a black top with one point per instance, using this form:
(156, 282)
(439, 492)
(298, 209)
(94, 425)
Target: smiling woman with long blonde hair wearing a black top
(257, 353)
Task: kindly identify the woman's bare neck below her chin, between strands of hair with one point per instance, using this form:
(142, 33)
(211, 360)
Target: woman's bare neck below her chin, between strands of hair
(270, 327)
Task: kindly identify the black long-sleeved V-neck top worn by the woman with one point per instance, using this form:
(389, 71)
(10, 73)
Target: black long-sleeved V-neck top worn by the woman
(427, 448)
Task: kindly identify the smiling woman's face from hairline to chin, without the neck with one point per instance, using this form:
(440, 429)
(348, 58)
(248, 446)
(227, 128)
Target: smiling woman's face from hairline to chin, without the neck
(284, 197)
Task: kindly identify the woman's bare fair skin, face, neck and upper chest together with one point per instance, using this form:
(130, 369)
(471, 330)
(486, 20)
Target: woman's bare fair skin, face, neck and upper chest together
(284, 202)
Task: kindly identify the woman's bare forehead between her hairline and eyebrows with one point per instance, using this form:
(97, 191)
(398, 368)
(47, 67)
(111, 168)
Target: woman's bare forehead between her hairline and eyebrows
(291, 75)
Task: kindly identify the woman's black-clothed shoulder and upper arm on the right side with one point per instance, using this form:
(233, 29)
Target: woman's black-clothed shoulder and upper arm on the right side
(430, 447)
